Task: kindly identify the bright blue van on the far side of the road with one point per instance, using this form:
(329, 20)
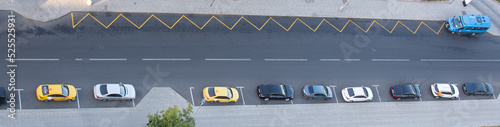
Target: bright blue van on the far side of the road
(468, 24)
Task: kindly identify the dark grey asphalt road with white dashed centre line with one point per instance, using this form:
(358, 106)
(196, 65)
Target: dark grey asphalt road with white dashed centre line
(188, 58)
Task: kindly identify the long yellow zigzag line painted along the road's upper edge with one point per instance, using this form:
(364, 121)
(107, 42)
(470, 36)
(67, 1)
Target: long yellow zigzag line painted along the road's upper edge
(258, 28)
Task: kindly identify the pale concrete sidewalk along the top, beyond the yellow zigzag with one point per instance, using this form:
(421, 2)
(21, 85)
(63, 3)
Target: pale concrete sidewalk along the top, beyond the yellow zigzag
(372, 9)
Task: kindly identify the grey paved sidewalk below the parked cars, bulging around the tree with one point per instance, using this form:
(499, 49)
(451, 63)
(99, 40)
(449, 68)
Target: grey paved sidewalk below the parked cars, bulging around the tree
(426, 113)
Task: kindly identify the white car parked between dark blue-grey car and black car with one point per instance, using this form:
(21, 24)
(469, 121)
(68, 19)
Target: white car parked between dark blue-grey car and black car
(351, 94)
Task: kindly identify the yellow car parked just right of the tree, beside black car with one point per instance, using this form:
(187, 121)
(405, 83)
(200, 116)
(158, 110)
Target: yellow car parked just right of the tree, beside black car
(220, 94)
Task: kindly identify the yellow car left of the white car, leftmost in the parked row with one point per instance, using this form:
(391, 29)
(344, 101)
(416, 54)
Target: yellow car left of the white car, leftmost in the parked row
(56, 92)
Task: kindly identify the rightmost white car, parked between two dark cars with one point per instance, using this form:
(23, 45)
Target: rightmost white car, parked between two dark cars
(444, 90)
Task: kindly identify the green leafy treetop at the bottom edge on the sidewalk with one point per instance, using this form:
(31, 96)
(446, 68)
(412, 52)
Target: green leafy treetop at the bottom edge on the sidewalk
(173, 117)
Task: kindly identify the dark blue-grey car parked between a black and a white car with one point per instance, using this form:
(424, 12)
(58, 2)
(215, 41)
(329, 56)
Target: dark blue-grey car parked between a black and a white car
(317, 92)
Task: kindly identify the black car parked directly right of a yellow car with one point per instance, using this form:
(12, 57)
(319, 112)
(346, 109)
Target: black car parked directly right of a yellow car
(275, 91)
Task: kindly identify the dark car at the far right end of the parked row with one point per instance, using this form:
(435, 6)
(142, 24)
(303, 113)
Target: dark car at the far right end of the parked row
(478, 89)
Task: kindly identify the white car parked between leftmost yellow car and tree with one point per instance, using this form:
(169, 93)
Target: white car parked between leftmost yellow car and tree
(114, 91)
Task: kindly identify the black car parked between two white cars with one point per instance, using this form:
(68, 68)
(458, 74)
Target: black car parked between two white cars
(405, 91)
